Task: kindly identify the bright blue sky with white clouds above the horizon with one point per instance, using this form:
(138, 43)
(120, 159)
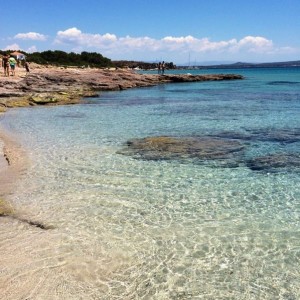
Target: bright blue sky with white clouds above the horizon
(178, 31)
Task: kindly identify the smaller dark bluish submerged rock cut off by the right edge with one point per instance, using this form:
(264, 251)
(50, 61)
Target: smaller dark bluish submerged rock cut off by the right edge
(275, 162)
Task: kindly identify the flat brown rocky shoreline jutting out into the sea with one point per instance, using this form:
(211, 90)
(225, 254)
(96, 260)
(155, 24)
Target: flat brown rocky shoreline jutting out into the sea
(67, 86)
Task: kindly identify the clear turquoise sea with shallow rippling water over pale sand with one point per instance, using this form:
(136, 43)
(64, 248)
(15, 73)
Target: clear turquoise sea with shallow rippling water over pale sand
(158, 222)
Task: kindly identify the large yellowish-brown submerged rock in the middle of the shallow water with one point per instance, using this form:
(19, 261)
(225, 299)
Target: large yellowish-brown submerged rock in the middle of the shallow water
(167, 148)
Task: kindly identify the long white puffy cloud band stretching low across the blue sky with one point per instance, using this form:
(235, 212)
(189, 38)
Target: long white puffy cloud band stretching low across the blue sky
(186, 43)
